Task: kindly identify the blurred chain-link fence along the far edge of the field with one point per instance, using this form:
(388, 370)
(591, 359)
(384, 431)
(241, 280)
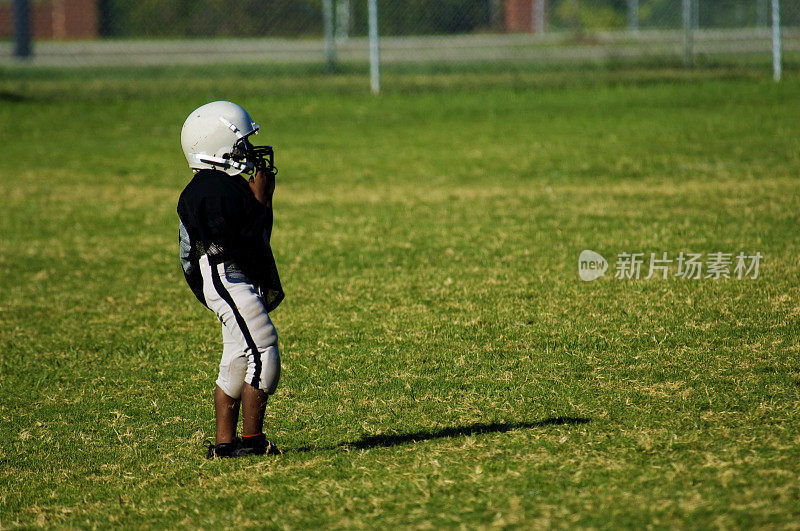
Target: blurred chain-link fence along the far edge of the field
(434, 35)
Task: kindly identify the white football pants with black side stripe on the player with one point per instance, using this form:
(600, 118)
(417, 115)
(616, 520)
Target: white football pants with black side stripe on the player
(249, 340)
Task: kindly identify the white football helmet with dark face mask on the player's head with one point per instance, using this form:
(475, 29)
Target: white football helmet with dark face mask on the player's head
(215, 136)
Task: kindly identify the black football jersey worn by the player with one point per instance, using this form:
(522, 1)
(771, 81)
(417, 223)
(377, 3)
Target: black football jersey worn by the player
(220, 217)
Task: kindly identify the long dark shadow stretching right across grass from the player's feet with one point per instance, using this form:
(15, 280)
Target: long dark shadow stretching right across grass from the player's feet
(386, 441)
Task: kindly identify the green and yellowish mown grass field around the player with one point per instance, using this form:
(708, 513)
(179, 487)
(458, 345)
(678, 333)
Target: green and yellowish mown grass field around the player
(443, 364)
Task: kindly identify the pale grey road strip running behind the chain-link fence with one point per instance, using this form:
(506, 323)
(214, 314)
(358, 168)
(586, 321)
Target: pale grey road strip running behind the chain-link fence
(551, 48)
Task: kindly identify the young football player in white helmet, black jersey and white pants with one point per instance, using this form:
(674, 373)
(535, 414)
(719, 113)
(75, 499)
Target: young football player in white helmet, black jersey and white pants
(225, 227)
